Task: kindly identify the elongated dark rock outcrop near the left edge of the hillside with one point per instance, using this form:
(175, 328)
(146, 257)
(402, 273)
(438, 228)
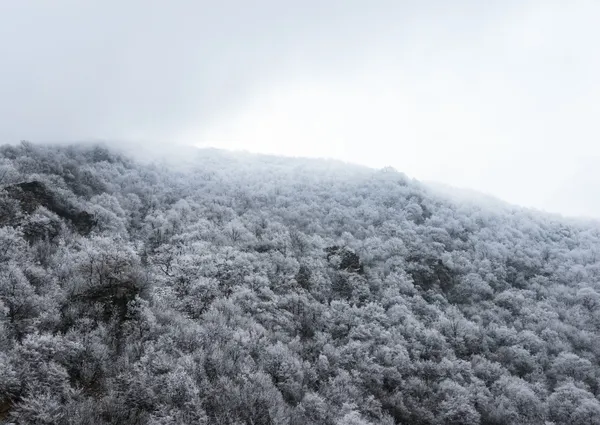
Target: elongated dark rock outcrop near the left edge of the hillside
(34, 194)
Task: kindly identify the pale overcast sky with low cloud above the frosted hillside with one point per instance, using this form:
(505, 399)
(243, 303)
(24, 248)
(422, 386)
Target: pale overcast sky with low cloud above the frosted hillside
(501, 97)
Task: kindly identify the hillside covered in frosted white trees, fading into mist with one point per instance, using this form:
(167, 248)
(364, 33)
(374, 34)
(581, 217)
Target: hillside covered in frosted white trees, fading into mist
(259, 290)
